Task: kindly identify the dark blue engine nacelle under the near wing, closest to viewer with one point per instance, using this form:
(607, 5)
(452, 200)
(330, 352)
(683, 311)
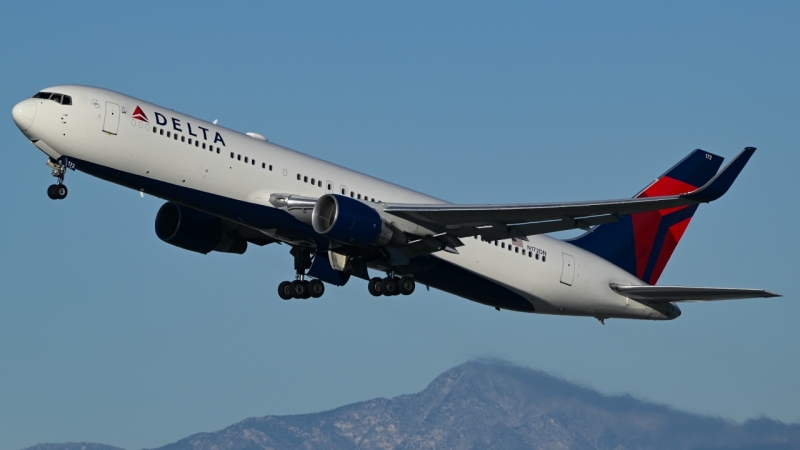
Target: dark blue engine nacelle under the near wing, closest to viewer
(352, 222)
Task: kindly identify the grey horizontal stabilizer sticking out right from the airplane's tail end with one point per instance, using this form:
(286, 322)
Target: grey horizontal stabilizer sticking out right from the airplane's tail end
(666, 294)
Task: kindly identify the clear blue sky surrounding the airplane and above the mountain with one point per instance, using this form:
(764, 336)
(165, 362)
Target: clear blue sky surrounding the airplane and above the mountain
(109, 335)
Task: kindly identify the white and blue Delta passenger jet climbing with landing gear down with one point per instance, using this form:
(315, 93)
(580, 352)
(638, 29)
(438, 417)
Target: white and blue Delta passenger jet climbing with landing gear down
(226, 190)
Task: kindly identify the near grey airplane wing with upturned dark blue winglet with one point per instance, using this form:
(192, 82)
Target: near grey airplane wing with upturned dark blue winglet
(520, 220)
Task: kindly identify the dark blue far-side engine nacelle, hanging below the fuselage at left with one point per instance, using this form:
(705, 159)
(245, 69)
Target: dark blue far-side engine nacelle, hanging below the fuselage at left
(197, 231)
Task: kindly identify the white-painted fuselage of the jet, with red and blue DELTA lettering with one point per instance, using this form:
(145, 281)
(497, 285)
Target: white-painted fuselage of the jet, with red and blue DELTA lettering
(555, 277)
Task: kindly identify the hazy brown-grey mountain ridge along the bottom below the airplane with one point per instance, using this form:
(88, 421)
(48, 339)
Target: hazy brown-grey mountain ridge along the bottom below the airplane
(489, 404)
